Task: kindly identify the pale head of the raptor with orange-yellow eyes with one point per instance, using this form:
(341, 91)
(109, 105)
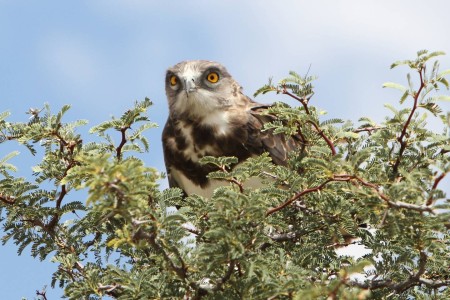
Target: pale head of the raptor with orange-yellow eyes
(198, 88)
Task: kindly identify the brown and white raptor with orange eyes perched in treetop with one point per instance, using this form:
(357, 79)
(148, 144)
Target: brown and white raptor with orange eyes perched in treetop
(210, 116)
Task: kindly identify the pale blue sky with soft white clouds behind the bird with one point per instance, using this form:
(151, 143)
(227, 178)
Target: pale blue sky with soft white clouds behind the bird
(100, 56)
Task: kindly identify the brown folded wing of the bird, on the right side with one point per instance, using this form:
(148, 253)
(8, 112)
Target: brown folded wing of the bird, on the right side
(277, 145)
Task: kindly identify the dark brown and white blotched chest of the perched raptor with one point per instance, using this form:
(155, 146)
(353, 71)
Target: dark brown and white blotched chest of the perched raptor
(185, 142)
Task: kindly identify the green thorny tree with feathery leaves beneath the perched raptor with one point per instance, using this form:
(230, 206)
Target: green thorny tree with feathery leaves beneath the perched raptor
(377, 185)
